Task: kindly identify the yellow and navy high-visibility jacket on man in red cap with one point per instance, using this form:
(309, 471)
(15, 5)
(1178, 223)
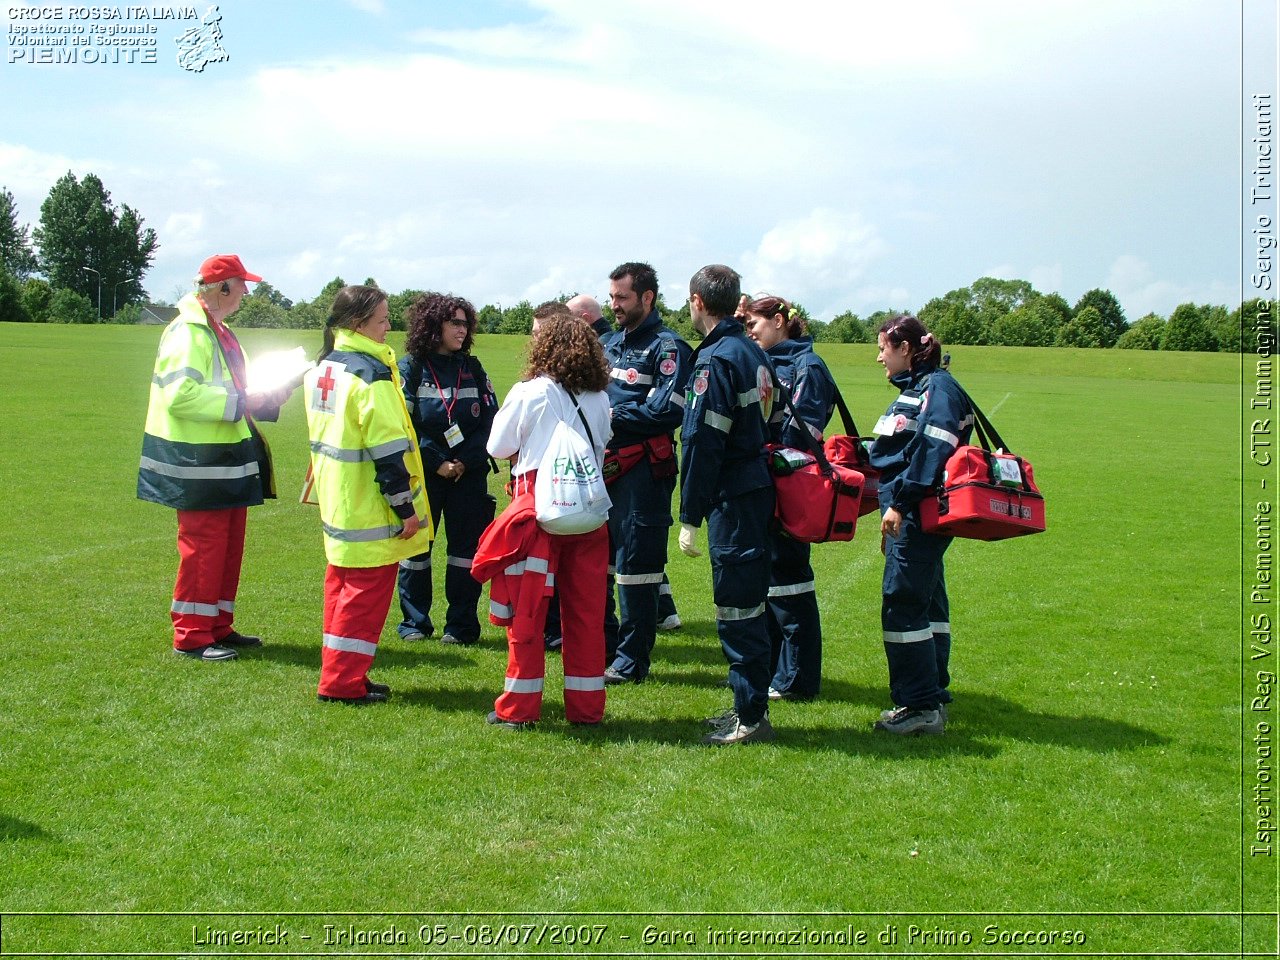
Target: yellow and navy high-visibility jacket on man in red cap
(198, 449)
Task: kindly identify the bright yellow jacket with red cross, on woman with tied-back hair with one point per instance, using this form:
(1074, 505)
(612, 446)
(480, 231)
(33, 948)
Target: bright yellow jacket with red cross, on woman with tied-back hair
(365, 463)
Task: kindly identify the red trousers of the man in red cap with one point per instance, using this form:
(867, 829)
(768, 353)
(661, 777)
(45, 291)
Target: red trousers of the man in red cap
(211, 550)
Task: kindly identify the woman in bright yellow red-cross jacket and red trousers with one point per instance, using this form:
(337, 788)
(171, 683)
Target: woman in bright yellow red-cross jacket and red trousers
(368, 478)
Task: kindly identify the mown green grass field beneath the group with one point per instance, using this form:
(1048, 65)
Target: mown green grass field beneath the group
(1090, 779)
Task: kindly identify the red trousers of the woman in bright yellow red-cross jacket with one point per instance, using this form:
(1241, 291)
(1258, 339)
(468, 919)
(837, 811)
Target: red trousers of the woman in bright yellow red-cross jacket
(356, 602)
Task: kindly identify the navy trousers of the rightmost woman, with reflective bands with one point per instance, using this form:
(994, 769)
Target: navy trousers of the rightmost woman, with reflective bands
(913, 577)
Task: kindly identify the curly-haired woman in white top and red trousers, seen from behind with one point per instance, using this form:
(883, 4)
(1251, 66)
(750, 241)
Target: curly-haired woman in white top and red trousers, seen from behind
(523, 561)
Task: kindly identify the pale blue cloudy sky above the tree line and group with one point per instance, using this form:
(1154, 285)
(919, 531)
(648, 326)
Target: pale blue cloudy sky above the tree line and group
(845, 156)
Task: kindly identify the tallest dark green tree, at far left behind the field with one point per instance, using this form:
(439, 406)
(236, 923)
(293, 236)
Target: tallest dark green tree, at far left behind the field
(81, 232)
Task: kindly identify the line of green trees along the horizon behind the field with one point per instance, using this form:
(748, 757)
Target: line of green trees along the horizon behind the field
(94, 255)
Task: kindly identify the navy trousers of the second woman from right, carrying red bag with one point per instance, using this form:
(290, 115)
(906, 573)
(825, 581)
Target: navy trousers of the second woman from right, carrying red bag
(796, 628)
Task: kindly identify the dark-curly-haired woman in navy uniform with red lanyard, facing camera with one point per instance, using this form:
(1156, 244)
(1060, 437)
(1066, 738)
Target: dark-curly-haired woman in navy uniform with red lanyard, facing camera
(452, 405)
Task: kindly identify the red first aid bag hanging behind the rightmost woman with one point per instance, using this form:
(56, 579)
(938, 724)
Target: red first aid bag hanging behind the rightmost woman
(986, 495)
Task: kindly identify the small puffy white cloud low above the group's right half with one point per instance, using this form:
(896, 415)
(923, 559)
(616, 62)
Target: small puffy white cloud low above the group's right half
(820, 257)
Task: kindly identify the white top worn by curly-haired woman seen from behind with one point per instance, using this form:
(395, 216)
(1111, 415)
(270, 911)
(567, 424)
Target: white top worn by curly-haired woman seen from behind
(528, 418)
